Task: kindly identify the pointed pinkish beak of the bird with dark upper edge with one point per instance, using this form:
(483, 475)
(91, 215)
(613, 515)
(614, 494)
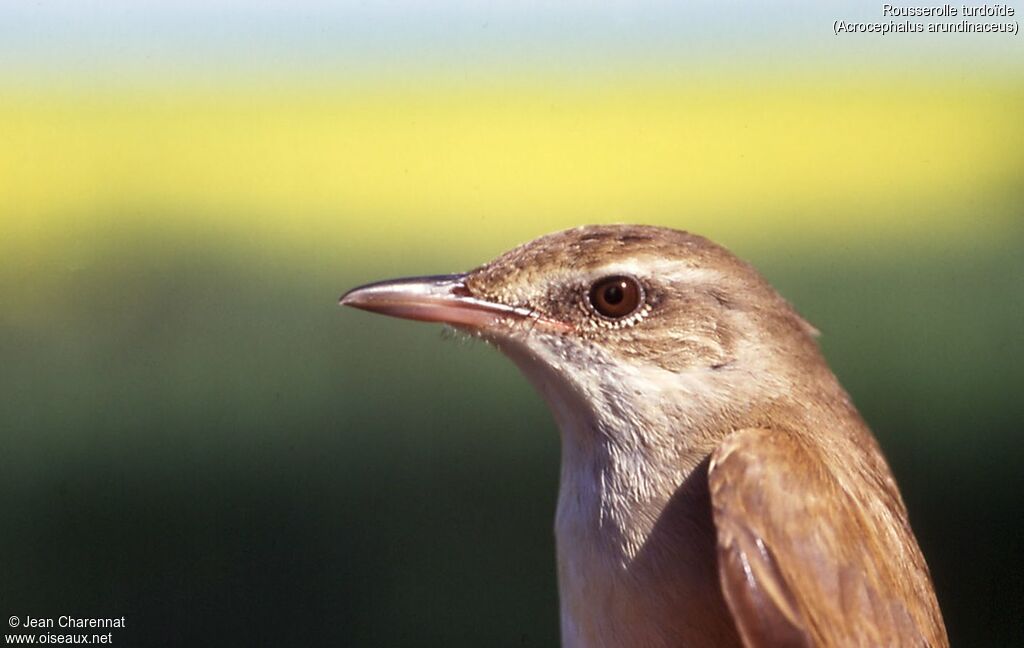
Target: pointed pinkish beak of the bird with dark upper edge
(444, 298)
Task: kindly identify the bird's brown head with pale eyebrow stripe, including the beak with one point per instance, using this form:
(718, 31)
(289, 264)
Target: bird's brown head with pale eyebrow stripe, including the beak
(601, 317)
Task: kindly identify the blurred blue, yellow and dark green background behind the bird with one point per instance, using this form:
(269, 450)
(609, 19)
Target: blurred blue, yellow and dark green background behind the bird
(195, 438)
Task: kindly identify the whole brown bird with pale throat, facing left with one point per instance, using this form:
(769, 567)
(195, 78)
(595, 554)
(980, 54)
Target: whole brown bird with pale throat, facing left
(718, 487)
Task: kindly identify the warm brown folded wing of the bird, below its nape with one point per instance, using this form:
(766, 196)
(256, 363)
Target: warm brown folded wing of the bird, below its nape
(802, 561)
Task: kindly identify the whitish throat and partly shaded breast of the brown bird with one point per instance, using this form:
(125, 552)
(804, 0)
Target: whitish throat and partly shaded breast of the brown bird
(633, 527)
